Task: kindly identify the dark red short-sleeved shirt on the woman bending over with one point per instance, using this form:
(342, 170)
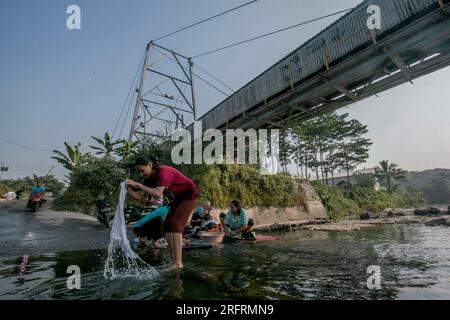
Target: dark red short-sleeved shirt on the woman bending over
(181, 186)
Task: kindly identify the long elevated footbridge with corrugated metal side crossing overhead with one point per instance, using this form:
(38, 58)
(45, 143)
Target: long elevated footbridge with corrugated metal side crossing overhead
(344, 63)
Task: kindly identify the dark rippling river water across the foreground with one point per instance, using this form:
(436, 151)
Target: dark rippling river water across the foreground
(414, 262)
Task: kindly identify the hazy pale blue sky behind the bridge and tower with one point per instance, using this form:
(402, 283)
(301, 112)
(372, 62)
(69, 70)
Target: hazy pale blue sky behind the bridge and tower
(59, 85)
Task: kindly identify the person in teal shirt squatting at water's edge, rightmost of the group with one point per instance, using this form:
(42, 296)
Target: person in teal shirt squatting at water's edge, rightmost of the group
(237, 222)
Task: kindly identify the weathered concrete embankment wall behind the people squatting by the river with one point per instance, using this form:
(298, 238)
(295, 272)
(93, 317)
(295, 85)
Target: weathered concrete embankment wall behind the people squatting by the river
(264, 216)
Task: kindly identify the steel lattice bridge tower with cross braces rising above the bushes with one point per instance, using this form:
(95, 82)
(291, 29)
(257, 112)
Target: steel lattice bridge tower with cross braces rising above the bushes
(165, 98)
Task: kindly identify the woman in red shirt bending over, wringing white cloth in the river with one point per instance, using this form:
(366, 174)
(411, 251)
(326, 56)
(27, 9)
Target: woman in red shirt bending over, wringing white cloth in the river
(158, 178)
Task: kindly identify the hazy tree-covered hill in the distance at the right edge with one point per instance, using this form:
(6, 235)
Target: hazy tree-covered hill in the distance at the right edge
(434, 183)
